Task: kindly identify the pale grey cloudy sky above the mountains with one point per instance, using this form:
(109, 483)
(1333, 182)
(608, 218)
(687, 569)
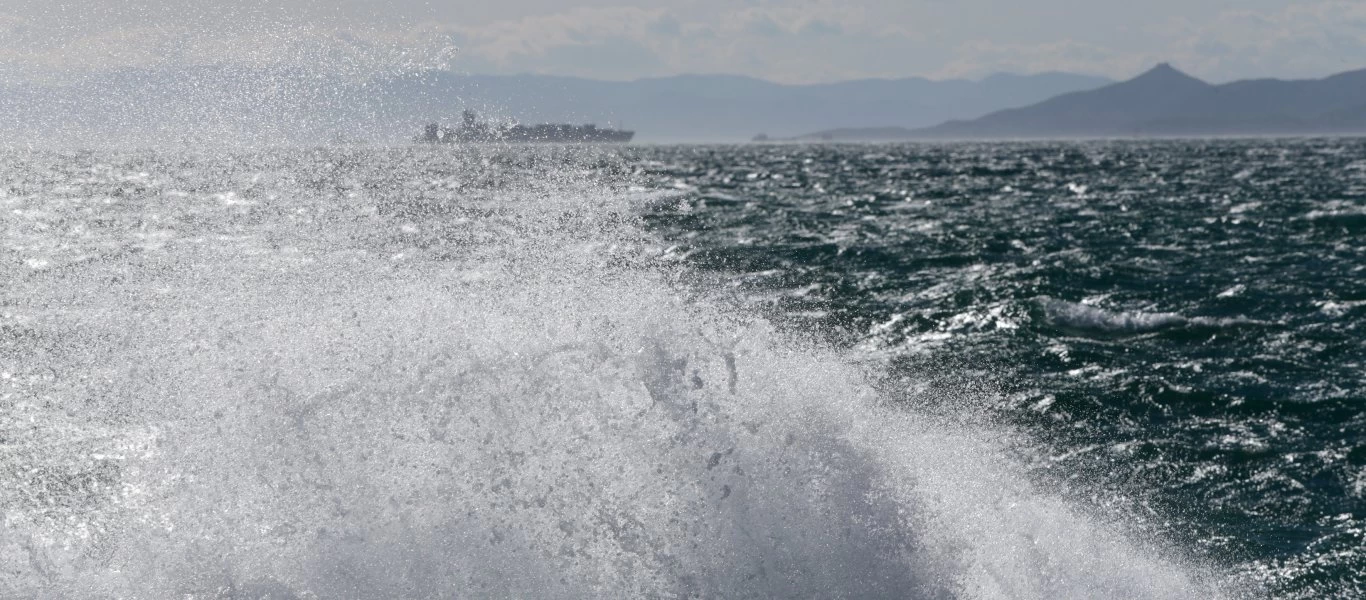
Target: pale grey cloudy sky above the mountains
(794, 42)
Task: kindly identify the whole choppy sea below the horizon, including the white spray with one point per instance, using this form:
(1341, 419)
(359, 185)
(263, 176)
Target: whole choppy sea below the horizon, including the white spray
(928, 371)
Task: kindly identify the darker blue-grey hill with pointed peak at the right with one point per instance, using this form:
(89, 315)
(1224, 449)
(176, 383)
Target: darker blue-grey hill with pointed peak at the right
(1166, 102)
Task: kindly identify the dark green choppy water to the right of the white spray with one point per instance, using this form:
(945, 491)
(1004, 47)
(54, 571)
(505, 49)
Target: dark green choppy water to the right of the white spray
(1181, 327)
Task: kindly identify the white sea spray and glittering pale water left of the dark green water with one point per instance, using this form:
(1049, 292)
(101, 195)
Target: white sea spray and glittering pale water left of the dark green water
(468, 372)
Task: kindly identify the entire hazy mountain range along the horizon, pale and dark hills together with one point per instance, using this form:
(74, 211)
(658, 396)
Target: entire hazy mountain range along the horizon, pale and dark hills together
(222, 105)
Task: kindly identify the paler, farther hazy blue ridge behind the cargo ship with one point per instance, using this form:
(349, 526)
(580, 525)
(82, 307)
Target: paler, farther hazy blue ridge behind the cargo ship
(218, 103)
